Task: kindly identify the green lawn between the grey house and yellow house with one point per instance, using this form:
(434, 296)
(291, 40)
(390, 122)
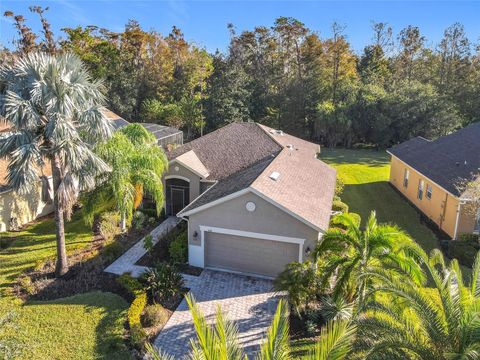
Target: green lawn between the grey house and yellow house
(366, 173)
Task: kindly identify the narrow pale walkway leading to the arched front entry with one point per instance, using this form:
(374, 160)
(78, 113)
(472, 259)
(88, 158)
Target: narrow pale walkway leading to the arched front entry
(126, 262)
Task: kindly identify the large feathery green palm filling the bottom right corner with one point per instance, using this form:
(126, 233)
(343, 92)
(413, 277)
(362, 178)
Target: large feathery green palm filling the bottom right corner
(408, 321)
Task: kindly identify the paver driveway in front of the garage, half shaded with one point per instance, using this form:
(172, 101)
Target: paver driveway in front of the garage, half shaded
(250, 302)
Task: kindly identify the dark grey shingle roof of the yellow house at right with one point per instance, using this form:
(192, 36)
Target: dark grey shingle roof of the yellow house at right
(448, 160)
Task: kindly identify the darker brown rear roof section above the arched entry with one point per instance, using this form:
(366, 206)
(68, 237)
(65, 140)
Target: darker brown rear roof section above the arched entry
(230, 149)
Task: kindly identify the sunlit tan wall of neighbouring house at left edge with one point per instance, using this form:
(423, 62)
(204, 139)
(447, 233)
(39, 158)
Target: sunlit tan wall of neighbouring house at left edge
(25, 208)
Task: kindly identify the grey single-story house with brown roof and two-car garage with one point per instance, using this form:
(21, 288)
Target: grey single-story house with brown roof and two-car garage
(255, 198)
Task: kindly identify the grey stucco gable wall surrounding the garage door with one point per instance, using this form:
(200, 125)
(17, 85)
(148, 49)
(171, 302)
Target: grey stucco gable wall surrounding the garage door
(266, 219)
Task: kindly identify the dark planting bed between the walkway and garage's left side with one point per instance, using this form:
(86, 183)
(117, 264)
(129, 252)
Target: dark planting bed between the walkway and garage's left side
(160, 254)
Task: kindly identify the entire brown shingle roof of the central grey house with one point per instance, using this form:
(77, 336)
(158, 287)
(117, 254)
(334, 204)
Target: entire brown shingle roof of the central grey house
(304, 186)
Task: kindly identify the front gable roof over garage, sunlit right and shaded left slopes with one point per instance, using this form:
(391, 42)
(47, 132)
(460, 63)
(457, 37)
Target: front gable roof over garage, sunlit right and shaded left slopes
(305, 186)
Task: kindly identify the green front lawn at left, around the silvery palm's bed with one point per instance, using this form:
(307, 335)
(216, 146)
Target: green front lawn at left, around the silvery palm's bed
(86, 326)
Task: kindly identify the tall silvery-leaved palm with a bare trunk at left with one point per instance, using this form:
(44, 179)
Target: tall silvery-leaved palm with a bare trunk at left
(54, 110)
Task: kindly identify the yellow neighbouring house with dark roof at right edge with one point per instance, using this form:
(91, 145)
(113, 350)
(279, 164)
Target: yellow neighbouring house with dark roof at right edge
(429, 174)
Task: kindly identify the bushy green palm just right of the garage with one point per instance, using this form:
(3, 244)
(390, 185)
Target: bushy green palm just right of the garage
(345, 254)
